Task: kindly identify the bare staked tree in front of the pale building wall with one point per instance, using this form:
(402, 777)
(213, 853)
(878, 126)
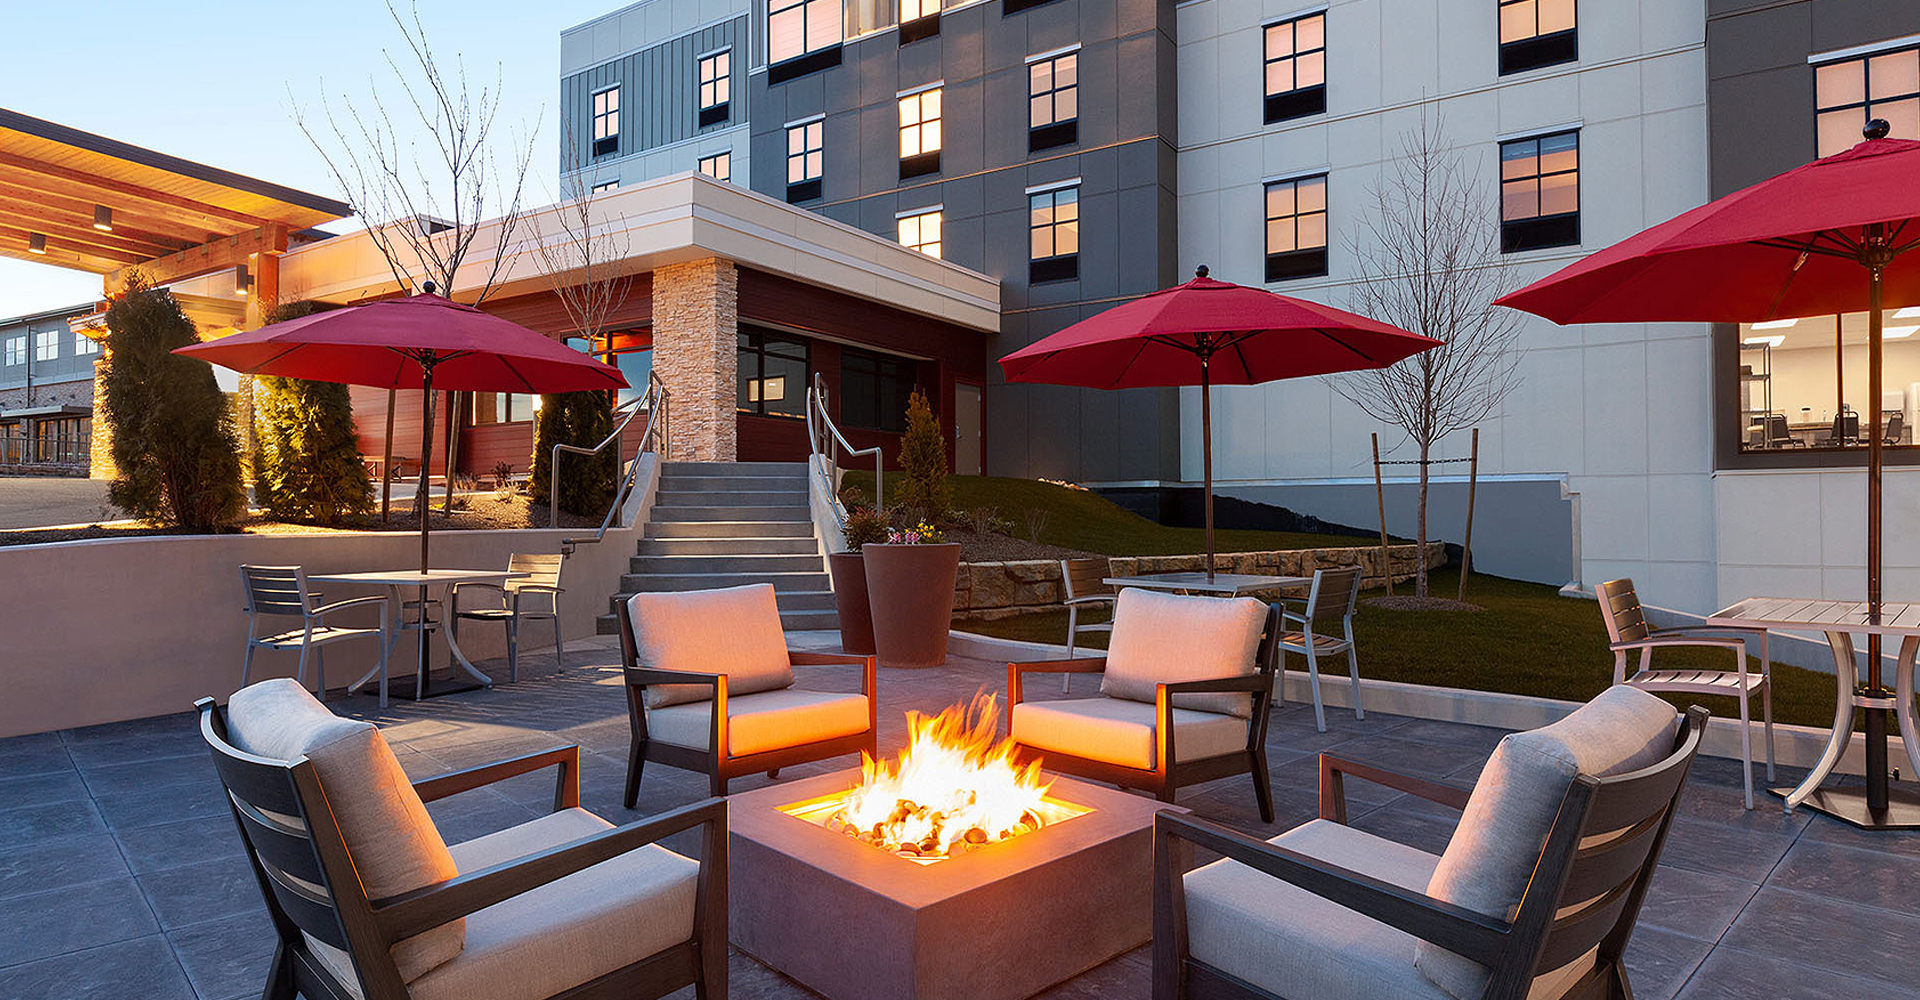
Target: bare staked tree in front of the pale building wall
(1431, 264)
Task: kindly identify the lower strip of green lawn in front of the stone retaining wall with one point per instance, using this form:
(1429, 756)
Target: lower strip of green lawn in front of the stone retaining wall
(1525, 642)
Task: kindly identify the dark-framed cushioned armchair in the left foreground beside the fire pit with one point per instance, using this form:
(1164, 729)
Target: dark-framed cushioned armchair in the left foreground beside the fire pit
(368, 903)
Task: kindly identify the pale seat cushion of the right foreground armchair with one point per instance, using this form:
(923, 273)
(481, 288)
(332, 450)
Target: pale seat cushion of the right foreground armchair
(1299, 945)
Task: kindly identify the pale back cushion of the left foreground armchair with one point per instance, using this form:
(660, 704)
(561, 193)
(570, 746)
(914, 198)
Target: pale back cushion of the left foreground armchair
(383, 821)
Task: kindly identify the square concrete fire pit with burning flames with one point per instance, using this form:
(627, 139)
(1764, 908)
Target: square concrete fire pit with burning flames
(992, 890)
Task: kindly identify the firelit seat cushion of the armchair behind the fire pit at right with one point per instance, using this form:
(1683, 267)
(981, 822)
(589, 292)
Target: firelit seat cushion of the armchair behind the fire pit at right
(1122, 732)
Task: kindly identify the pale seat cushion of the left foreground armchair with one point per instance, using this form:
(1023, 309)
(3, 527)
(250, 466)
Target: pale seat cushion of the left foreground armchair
(567, 932)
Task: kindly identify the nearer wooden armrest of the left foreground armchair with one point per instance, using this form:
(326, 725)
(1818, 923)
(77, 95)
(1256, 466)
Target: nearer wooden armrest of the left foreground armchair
(429, 907)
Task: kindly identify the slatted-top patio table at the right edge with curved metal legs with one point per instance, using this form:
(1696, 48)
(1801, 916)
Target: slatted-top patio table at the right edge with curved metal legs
(1840, 623)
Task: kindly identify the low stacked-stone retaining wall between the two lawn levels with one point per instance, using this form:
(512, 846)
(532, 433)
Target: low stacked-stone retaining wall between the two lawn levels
(1001, 590)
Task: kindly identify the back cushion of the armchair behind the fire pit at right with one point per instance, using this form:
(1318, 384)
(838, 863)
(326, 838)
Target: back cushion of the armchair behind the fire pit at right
(1164, 638)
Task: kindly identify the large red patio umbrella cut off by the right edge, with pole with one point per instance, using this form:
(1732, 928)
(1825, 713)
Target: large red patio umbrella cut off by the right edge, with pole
(1829, 237)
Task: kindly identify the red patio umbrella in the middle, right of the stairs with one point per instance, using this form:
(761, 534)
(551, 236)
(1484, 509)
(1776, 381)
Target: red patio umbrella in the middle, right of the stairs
(1211, 333)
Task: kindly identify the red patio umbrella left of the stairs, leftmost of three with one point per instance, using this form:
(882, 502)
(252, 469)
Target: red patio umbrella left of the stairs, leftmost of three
(414, 343)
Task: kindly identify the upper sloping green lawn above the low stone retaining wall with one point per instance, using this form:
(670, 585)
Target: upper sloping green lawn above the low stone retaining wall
(1078, 519)
